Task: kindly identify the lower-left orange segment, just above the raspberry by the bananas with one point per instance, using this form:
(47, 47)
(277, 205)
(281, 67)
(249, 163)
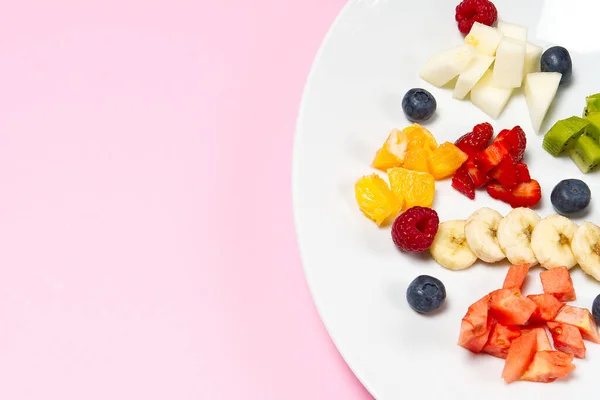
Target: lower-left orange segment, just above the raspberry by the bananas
(375, 199)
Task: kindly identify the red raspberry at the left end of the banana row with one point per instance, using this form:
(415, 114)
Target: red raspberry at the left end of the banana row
(415, 229)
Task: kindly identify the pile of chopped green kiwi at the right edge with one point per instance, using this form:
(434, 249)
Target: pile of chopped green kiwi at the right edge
(578, 137)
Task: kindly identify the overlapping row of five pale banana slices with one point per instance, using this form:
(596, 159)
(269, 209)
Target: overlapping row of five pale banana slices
(522, 237)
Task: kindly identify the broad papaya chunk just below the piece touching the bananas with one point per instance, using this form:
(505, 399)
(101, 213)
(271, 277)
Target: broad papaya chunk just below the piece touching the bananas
(510, 307)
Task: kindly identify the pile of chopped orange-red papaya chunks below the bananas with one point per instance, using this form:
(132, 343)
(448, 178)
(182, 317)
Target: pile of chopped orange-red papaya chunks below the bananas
(506, 324)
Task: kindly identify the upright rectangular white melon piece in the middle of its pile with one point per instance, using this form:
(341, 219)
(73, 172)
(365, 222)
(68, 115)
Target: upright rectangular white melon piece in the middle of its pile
(510, 63)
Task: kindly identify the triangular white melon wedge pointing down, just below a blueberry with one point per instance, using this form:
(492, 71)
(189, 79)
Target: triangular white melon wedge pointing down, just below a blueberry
(540, 89)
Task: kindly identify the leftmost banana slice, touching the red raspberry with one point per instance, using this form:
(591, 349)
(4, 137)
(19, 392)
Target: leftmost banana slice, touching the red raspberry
(450, 248)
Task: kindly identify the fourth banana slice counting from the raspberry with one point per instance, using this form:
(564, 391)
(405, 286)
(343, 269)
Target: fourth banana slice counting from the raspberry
(551, 242)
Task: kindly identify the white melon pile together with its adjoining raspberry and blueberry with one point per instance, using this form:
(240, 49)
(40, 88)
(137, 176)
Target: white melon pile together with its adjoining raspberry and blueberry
(493, 62)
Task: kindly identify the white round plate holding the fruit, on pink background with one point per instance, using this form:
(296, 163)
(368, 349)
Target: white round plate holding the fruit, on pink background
(369, 59)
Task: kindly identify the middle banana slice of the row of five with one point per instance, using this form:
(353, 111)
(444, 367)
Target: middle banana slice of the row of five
(514, 235)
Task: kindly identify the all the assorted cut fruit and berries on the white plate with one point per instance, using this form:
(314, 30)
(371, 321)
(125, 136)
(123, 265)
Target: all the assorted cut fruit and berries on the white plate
(494, 59)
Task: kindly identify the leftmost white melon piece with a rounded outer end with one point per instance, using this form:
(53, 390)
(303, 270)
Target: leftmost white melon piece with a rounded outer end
(441, 68)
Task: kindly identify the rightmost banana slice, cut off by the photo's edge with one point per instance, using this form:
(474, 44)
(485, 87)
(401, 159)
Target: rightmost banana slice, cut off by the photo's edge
(586, 248)
